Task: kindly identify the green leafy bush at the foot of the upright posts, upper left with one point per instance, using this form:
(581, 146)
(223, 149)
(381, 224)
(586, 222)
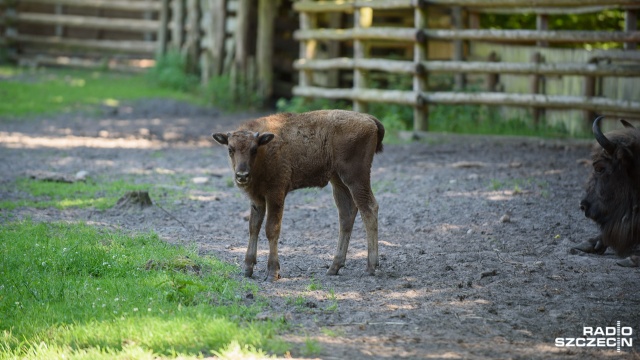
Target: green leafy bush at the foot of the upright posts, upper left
(170, 71)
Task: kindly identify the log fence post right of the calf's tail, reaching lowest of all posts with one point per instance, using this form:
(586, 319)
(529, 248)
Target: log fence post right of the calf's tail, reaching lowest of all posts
(421, 110)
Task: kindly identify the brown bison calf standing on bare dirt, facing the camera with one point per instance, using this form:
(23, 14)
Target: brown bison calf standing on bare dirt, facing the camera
(274, 155)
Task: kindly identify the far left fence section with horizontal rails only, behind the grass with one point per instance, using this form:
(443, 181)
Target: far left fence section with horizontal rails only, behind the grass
(80, 32)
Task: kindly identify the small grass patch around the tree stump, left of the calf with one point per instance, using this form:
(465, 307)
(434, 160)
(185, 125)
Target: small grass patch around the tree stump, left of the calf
(99, 193)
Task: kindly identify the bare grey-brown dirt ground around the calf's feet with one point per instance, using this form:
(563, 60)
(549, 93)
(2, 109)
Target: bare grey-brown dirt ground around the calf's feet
(475, 234)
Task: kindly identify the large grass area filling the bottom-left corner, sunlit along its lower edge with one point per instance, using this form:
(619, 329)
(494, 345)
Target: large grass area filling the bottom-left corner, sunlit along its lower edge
(74, 291)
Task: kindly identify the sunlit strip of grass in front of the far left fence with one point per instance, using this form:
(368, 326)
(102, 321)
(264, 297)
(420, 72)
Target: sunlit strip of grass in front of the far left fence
(45, 91)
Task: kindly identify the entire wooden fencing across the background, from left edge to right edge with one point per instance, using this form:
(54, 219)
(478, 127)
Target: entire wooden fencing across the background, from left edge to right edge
(411, 52)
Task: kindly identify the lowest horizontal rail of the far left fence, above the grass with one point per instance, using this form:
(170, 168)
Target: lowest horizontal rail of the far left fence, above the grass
(132, 46)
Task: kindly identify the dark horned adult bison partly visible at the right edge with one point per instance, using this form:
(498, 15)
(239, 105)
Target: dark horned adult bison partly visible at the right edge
(612, 198)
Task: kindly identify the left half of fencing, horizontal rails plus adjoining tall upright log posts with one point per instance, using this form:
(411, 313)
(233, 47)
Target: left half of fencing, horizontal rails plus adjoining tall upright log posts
(248, 39)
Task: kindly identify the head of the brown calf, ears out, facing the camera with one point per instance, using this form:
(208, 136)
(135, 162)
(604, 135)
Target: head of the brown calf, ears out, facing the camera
(243, 150)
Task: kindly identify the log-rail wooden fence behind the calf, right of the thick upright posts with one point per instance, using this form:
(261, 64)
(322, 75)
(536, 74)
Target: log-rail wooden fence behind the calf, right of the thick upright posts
(597, 67)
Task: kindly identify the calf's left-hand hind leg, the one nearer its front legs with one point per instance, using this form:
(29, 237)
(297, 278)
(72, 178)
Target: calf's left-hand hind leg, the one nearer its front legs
(347, 212)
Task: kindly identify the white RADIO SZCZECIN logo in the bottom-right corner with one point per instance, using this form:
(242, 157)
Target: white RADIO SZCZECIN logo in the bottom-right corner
(610, 337)
